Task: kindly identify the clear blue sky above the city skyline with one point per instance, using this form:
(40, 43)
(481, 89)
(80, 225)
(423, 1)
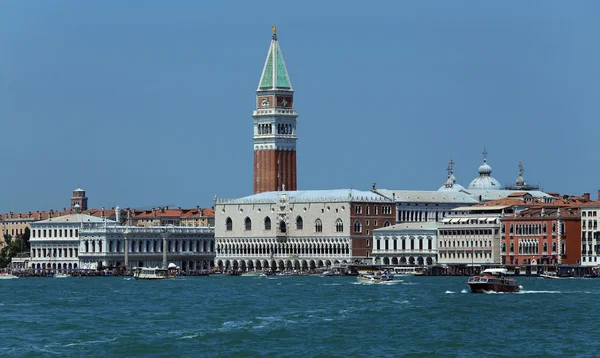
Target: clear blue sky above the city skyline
(147, 103)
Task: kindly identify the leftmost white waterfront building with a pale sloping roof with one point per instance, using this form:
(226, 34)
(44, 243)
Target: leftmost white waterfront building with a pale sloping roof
(55, 242)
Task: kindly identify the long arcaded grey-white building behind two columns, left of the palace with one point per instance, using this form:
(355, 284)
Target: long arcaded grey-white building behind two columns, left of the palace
(103, 245)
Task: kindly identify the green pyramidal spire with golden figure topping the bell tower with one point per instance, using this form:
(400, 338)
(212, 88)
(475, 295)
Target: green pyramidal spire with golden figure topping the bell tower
(274, 76)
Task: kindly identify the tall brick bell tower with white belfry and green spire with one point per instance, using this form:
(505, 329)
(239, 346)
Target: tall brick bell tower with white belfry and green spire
(274, 126)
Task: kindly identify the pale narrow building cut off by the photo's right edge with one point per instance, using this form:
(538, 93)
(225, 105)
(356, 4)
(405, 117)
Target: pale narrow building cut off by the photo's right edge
(590, 234)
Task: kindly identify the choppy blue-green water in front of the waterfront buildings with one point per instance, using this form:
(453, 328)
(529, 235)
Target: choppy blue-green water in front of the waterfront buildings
(295, 316)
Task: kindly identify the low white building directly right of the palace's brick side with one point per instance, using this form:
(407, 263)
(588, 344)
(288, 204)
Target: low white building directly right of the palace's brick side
(406, 244)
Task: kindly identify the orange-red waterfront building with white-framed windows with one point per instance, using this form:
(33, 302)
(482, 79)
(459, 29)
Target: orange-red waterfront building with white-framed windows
(544, 235)
